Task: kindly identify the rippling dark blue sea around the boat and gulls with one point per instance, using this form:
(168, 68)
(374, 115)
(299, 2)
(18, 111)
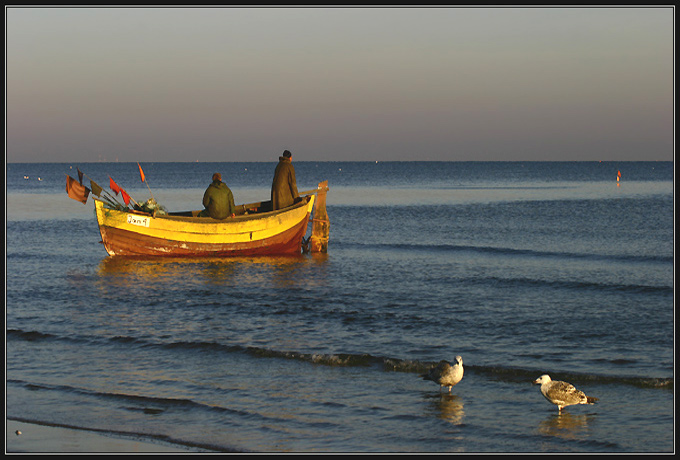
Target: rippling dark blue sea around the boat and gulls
(520, 268)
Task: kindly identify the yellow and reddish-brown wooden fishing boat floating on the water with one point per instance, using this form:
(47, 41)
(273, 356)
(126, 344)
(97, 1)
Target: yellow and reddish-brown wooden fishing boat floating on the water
(256, 230)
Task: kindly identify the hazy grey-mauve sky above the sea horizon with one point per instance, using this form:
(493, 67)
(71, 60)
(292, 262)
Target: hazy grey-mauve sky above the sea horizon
(339, 84)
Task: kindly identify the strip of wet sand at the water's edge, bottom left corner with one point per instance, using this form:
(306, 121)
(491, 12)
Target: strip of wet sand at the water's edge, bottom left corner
(23, 437)
